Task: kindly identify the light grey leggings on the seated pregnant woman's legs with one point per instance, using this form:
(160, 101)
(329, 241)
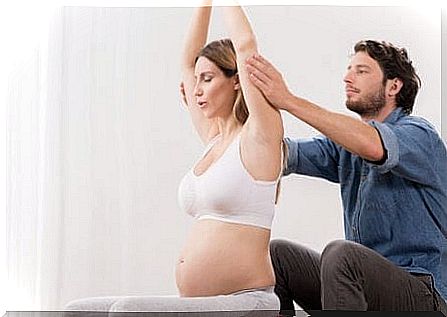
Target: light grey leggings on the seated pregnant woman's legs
(243, 301)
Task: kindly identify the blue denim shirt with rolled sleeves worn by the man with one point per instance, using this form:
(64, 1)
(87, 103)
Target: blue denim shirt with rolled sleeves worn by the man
(398, 208)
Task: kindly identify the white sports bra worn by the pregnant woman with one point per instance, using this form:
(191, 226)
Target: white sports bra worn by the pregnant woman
(227, 192)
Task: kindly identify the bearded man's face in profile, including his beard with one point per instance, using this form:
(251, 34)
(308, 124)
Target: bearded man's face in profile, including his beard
(365, 90)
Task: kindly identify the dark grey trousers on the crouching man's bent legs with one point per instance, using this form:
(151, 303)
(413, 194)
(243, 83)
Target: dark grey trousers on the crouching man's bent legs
(347, 276)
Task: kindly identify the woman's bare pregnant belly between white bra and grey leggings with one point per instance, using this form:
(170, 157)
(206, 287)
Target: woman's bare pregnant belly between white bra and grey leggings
(222, 258)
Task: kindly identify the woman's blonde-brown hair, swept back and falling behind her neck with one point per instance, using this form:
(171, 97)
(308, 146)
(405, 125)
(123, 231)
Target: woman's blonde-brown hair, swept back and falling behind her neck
(223, 54)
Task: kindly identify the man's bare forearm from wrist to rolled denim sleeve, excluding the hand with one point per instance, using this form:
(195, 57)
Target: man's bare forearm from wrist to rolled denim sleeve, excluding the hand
(353, 134)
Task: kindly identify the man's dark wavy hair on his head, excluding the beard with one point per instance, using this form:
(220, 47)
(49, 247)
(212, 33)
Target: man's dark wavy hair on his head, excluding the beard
(394, 63)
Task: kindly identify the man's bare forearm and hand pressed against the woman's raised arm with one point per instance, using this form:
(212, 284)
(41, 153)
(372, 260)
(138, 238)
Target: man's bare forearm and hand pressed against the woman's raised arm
(354, 135)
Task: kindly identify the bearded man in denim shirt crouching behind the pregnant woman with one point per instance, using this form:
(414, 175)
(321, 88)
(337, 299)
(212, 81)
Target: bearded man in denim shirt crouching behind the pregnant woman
(392, 171)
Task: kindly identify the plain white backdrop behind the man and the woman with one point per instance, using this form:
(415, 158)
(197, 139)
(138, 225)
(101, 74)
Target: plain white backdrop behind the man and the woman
(97, 139)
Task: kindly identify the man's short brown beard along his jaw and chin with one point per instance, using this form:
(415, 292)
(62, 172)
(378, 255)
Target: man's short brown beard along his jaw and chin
(370, 105)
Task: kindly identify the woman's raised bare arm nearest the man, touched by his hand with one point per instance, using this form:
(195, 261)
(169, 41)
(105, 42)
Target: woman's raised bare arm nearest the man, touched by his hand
(261, 152)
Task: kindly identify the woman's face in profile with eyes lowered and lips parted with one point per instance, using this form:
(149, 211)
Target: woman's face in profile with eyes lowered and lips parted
(215, 93)
